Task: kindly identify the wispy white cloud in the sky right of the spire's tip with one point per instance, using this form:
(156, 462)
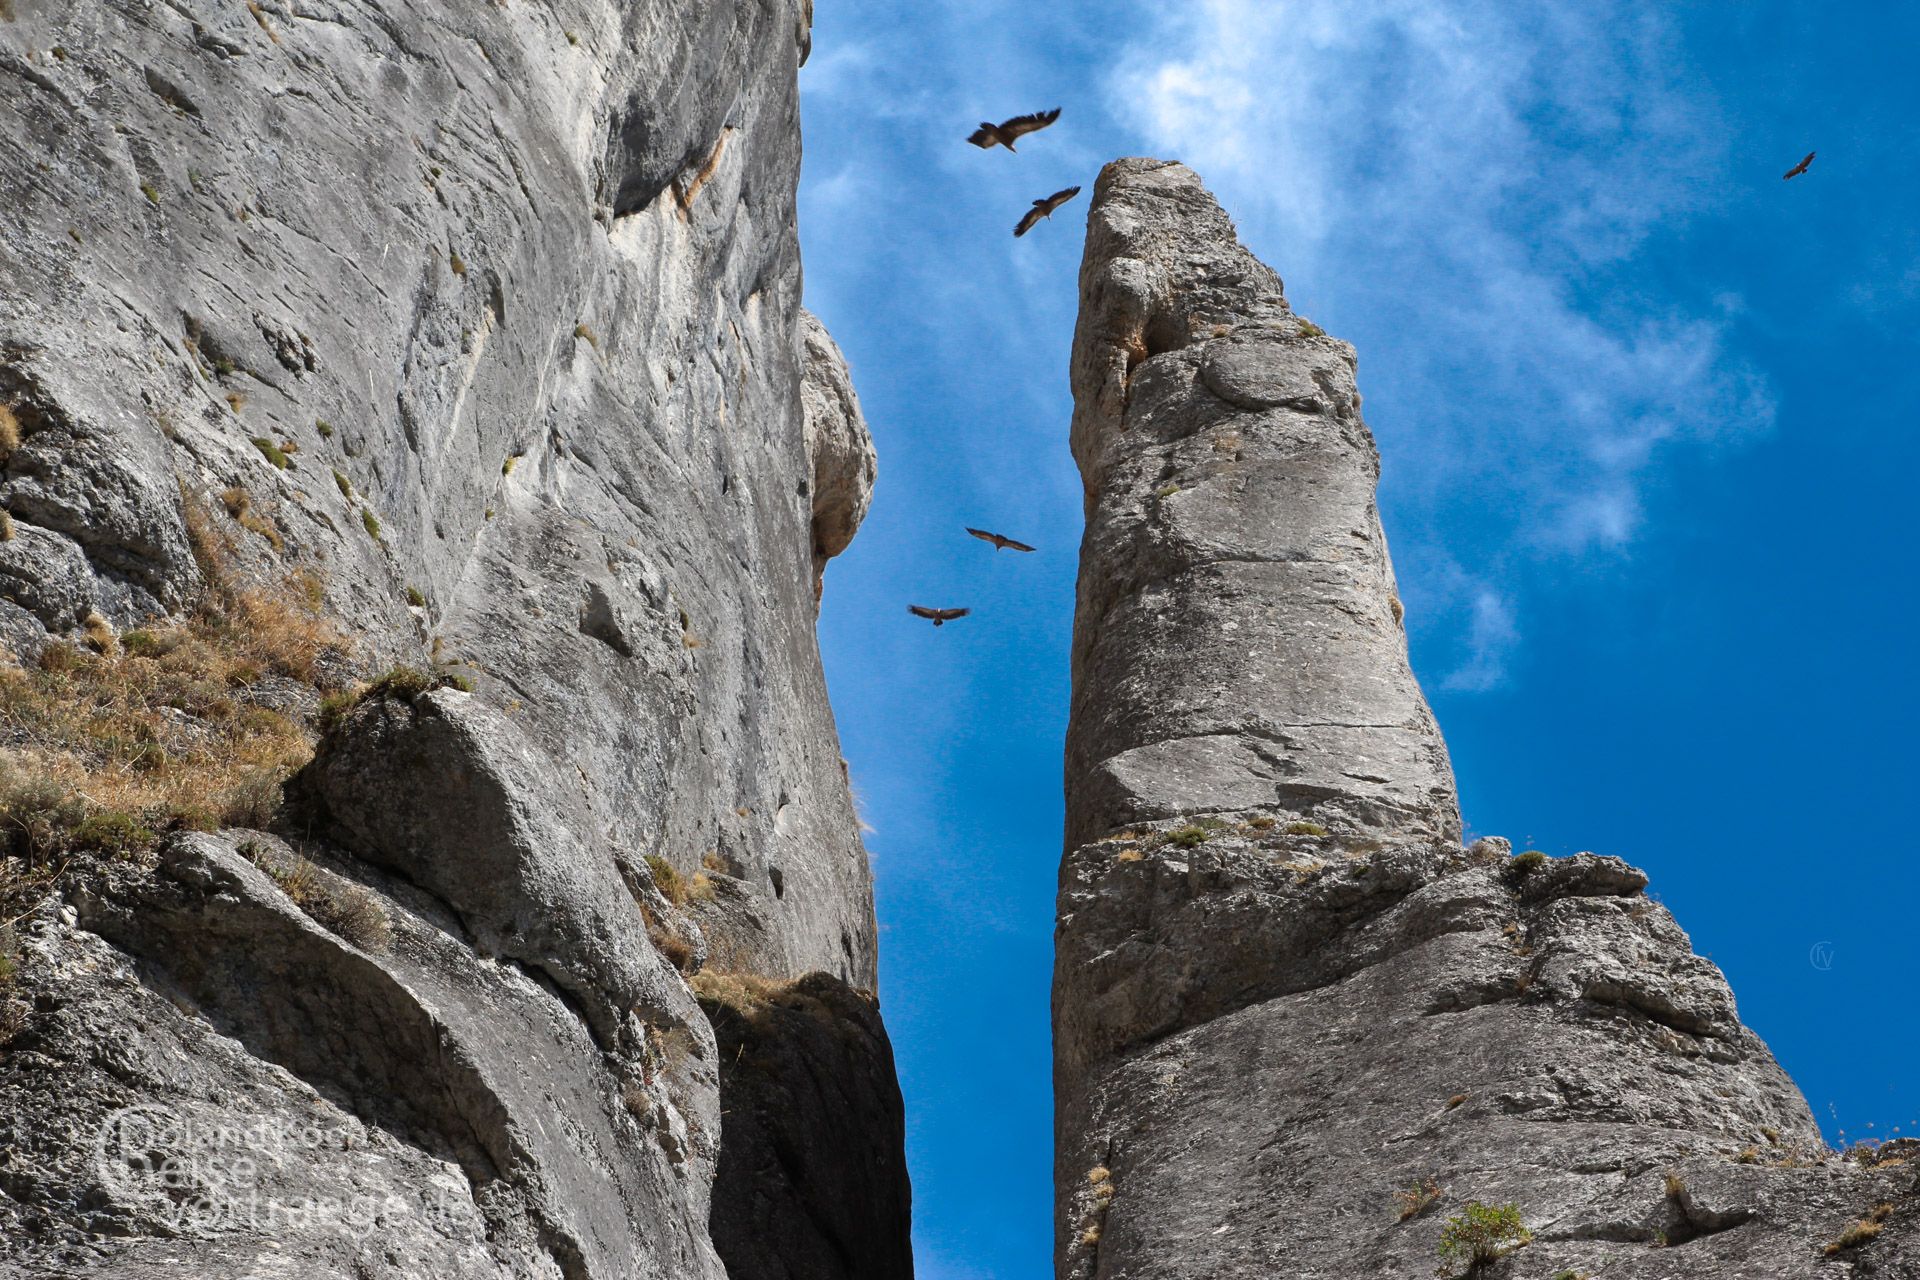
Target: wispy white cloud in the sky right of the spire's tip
(1468, 191)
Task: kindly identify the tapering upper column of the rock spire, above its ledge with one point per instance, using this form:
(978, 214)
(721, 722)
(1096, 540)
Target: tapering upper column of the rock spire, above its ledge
(1239, 638)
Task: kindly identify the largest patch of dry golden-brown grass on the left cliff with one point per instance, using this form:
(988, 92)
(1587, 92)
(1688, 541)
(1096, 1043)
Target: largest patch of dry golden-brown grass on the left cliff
(180, 726)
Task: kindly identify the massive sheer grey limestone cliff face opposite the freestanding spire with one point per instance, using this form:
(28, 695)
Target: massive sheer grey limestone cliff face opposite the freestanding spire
(483, 323)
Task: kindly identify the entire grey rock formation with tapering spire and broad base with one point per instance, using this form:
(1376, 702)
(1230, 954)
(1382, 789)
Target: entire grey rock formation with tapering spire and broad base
(1285, 995)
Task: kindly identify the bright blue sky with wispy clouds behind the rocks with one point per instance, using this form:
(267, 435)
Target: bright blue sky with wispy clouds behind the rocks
(1648, 431)
